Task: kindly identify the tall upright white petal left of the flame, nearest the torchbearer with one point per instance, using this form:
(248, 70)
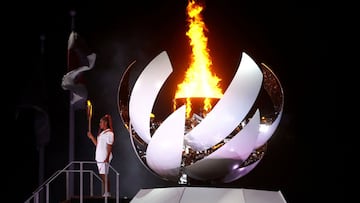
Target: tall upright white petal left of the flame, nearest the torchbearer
(144, 94)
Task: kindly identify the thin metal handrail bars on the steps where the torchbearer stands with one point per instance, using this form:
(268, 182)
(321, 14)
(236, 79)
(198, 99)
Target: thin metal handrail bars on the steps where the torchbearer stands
(46, 184)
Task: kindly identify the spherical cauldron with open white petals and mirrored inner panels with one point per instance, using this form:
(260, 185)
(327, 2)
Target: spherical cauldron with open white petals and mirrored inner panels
(222, 145)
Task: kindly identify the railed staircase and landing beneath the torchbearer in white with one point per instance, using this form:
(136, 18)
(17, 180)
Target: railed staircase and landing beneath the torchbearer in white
(88, 185)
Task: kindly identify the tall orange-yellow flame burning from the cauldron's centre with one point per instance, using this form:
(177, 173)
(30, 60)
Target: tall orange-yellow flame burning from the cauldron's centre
(199, 81)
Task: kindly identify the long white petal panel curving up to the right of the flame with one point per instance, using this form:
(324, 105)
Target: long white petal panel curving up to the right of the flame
(230, 109)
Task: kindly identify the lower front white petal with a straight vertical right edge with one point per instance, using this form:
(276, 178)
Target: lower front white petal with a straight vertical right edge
(164, 152)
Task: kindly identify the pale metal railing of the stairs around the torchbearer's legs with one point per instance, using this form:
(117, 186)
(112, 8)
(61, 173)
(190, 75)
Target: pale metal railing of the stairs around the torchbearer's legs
(68, 170)
